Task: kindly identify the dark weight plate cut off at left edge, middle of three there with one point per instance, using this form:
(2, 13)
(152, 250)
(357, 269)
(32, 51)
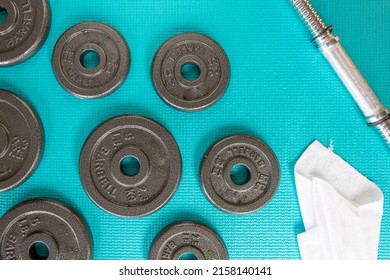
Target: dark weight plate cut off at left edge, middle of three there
(21, 141)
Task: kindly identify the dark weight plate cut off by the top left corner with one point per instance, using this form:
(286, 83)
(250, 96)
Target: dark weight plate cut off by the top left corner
(24, 30)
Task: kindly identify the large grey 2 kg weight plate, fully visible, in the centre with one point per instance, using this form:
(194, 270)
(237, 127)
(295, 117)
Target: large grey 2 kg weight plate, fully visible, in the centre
(151, 187)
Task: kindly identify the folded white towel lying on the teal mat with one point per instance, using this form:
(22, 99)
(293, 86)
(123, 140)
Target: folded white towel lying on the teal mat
(341, 209)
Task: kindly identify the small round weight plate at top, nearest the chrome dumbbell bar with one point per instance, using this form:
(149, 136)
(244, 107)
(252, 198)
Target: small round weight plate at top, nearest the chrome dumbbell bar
(202, 53)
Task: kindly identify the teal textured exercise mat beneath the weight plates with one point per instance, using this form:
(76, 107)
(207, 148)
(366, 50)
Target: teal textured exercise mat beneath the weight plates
(281, 90)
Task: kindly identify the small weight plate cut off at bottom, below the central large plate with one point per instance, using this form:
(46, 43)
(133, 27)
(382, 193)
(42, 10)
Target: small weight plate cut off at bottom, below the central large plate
(188, 238)
